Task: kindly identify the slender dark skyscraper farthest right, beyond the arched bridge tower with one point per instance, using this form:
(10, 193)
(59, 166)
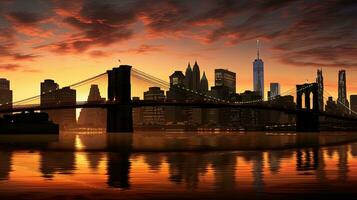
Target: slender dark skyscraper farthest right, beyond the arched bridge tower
(342, 101)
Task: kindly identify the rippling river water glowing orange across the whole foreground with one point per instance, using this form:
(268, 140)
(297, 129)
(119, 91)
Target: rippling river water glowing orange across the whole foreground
(161, 165)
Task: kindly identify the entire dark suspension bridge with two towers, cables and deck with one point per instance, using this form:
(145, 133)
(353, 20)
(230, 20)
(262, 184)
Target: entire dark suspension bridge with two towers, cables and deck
(119, 103)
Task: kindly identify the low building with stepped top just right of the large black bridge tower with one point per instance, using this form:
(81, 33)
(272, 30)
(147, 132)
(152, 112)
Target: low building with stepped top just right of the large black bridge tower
(154, 115)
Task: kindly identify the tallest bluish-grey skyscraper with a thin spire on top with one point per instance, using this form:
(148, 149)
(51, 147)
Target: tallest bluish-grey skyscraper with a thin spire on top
(258, 73)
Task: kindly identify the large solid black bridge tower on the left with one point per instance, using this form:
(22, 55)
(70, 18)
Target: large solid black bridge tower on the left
(119, 116)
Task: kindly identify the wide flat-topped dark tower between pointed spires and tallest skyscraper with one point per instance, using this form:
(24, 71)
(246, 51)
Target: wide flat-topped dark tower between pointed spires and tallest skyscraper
(224, 77)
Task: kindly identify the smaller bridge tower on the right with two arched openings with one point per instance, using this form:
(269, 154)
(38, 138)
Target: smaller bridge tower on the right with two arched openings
(307, 118)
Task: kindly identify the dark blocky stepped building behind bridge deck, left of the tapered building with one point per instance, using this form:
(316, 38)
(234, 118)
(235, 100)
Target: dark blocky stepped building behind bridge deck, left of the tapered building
(51, 94)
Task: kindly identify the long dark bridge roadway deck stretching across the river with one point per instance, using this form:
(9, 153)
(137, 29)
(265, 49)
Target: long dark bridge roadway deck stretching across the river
(146, 103)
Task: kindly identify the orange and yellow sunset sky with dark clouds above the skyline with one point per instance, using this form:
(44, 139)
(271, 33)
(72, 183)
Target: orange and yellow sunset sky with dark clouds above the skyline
(69, 41)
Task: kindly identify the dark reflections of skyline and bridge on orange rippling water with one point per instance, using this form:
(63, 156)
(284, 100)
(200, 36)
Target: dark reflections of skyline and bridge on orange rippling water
(189, 168)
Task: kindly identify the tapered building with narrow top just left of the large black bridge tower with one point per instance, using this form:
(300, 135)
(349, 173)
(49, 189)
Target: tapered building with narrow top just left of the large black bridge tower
(93, 117)
